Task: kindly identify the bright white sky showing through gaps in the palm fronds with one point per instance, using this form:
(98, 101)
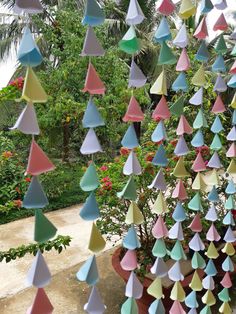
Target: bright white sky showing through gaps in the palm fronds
(7, 66)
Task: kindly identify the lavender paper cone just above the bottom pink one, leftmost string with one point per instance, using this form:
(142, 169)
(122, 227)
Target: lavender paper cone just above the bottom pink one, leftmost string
(38, 274)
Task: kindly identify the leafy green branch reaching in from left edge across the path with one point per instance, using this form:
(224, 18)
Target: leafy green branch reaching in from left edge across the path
(59, 243)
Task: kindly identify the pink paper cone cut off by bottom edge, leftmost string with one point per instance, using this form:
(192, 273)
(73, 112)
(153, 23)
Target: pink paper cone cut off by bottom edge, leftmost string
(41, 304)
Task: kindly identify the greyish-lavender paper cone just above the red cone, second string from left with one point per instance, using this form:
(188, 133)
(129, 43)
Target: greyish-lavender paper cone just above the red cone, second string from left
(91, 46)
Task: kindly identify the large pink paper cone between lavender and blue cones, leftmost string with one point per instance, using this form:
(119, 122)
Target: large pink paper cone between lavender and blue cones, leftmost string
(38, 161)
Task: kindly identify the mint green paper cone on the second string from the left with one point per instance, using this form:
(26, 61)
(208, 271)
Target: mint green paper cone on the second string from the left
(89, 181)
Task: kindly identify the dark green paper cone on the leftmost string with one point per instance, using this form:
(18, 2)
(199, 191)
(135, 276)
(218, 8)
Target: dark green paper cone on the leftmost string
(43, 228)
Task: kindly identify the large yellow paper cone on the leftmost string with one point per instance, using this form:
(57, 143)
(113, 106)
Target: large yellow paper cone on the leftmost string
(33, 90)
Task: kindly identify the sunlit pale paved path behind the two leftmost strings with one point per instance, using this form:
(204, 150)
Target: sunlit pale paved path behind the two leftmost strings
(68, 222)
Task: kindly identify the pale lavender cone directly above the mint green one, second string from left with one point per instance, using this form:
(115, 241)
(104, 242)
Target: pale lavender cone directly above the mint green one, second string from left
(90, 144)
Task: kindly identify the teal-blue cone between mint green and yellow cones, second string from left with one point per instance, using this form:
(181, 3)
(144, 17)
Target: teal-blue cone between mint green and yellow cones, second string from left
(90, 210)
